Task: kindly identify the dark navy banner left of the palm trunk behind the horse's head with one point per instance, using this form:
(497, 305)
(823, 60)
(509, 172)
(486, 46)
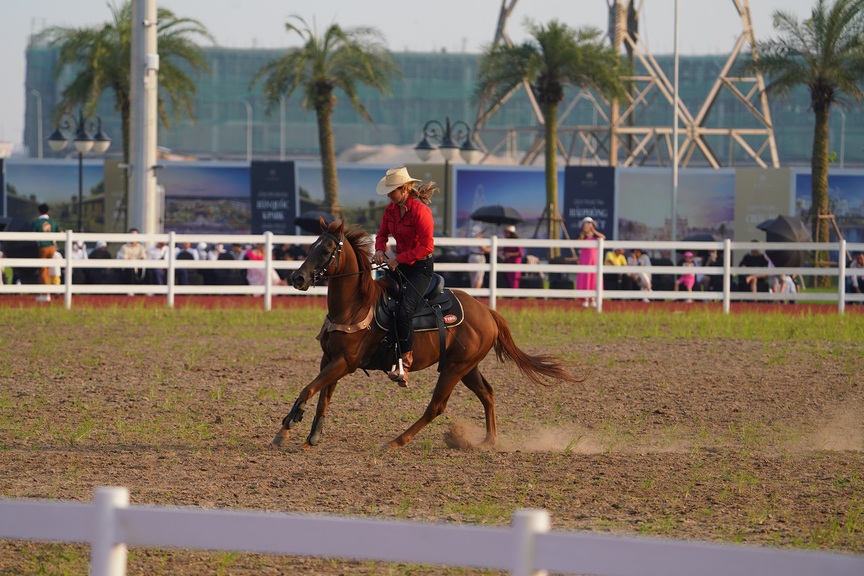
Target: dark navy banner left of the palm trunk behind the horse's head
(273, 197)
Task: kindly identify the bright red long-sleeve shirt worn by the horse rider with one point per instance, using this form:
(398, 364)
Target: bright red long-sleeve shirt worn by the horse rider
(412, 231)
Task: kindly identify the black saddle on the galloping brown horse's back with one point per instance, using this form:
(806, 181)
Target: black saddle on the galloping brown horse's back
(440, 310)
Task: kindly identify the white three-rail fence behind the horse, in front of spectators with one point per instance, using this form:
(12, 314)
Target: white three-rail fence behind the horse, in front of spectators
(725, 250)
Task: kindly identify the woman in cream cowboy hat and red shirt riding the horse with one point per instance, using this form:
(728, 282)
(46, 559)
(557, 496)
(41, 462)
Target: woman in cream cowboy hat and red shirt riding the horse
(408, 219)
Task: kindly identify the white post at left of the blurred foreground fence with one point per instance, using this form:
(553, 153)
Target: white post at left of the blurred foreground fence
(107, 552)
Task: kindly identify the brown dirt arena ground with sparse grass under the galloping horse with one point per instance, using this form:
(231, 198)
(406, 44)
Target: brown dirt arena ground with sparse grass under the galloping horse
(720, 440)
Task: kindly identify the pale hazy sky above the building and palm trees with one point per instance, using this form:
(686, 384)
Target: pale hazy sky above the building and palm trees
(705, 26)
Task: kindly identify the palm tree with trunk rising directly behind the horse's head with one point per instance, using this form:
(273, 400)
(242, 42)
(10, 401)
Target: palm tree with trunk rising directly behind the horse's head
(337, 60)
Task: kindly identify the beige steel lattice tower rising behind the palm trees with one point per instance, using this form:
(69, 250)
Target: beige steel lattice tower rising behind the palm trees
(616, 136)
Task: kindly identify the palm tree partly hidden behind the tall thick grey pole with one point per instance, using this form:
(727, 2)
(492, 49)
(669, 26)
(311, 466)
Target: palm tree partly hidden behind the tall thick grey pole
(100, 57)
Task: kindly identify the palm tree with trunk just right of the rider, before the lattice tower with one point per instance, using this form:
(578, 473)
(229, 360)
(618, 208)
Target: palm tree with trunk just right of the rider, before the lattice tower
(554, 58)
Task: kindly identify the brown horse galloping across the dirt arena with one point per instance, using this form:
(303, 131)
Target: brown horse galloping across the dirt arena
(350, 337)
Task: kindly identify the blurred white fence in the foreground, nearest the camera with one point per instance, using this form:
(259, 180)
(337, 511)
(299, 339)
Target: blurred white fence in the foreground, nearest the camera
(109, 524)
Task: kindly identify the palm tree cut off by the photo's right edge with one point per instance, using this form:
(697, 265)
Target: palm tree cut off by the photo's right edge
(825, 53)
